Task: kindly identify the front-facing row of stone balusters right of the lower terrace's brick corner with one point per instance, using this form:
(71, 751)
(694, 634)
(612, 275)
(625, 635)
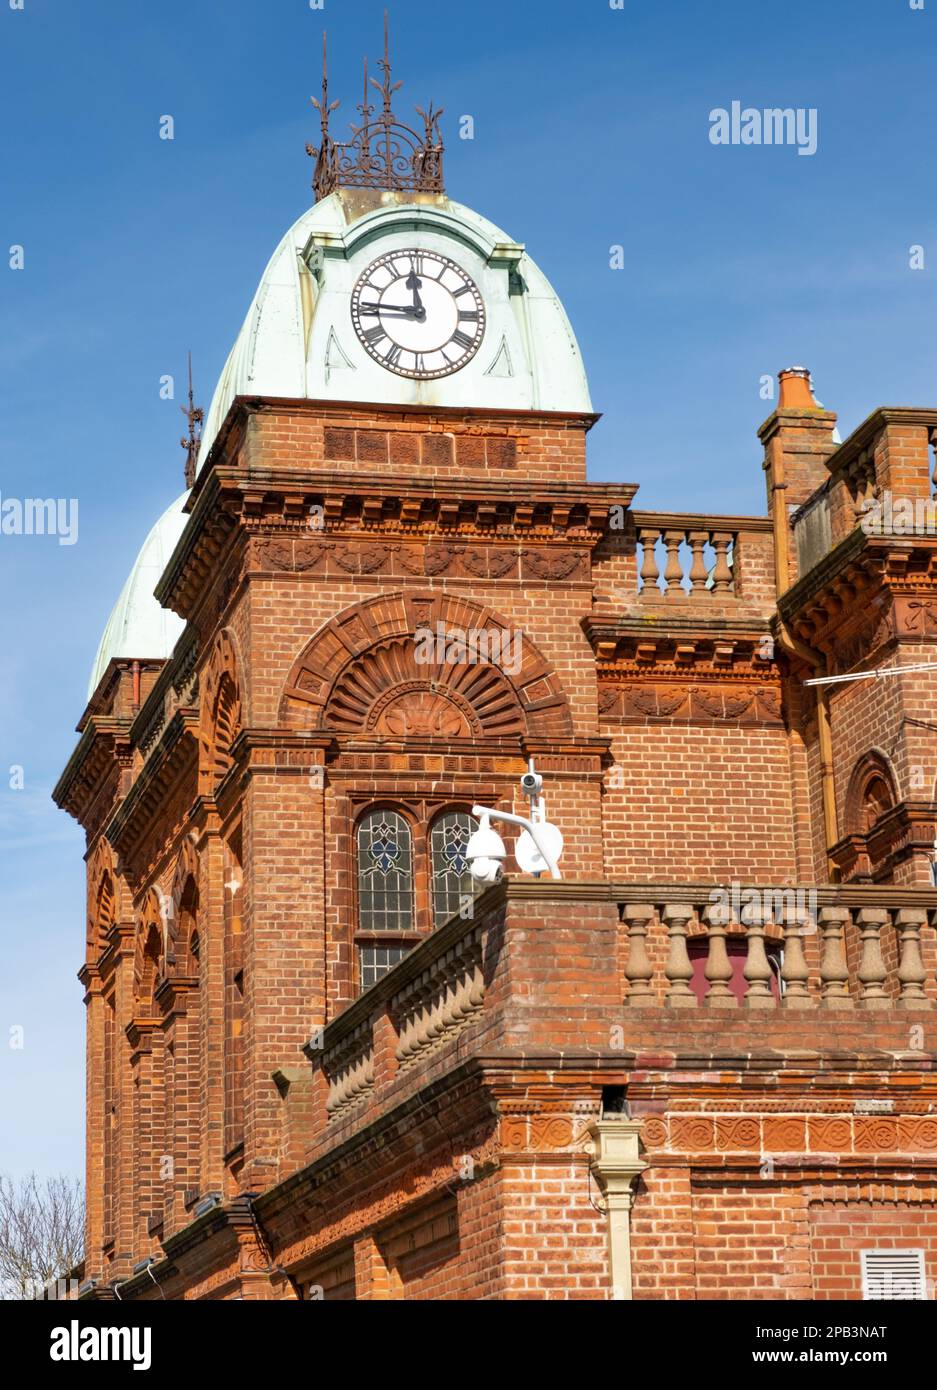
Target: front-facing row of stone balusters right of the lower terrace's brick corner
(842, 956)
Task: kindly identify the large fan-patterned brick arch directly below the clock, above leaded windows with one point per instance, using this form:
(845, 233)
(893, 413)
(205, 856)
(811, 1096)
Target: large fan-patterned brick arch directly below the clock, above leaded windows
(361, 675)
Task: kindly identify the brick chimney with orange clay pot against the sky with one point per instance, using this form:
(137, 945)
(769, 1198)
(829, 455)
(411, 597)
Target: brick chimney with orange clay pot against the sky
(799, 441)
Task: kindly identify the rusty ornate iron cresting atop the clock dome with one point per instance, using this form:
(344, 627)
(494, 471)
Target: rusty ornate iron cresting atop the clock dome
(382, 152)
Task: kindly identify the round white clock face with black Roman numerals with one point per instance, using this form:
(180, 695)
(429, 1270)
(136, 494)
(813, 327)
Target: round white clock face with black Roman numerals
(419, 315)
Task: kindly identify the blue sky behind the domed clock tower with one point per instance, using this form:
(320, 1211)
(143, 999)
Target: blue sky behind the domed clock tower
(592, 130)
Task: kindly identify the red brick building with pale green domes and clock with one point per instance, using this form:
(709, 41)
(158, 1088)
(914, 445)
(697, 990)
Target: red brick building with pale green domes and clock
(320, 1064)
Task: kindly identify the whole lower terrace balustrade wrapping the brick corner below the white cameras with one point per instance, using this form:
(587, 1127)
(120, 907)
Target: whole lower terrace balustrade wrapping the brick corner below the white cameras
(596, 968)
